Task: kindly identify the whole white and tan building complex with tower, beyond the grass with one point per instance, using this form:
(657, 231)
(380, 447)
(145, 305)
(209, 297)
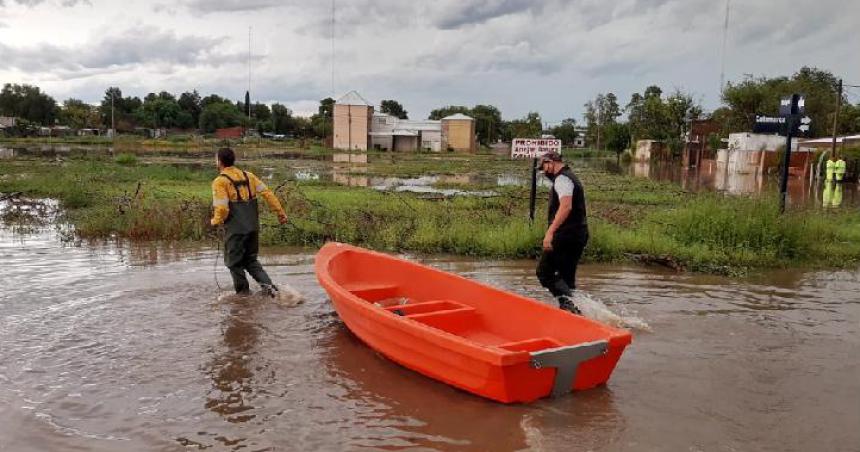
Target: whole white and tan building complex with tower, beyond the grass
(358, 127)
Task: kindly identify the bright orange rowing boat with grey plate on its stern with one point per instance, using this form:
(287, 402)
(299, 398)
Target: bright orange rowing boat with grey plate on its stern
(472, 336)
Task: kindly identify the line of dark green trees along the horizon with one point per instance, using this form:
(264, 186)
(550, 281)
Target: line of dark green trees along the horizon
(650, 114)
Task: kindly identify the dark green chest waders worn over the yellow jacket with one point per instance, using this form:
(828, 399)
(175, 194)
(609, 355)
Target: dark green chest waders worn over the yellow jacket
(242, 243)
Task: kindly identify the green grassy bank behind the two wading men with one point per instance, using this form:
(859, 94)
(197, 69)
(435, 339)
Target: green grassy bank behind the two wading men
(631, 219)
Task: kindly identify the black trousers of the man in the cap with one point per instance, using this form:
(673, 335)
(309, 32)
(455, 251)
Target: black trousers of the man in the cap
(557, 268)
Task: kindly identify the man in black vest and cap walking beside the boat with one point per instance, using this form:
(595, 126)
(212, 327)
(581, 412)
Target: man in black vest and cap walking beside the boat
(567, 233)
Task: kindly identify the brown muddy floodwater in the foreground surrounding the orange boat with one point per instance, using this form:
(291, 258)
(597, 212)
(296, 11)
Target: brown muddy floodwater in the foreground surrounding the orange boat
(112, 347)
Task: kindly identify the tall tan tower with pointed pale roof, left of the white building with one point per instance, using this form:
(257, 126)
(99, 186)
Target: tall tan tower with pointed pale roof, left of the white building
(352, 117)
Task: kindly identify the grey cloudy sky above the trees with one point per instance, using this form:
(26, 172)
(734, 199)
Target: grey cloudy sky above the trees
(548, 56)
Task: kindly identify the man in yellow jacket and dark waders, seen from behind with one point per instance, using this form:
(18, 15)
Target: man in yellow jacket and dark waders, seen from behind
(234, 196)
